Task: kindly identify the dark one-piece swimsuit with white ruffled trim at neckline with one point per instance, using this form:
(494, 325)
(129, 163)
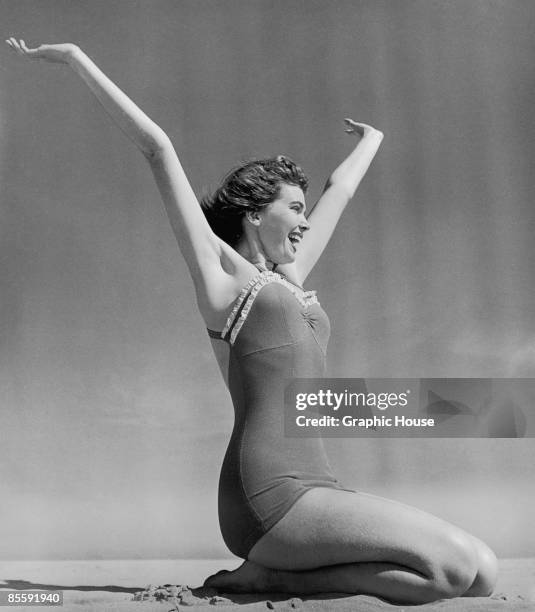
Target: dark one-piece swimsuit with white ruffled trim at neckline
(276, 332)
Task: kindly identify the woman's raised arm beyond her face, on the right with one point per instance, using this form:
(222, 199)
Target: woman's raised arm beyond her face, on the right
(339, 190)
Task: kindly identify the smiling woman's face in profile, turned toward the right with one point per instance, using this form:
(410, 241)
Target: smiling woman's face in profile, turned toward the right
(282, 225)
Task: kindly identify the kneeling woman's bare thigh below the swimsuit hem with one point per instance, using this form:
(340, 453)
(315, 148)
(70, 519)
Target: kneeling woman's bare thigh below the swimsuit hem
(331, 527)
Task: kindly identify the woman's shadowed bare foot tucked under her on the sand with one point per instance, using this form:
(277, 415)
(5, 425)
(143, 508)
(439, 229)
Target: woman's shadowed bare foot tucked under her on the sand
(248, 578)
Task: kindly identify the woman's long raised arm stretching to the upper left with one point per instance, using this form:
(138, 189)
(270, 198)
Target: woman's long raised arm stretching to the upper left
(199, 245)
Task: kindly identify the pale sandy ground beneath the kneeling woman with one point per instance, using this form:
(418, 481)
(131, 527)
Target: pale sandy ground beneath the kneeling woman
(109, 585)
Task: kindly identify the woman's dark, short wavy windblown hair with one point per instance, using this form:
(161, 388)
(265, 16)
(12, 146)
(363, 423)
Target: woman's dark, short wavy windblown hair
(249, 187)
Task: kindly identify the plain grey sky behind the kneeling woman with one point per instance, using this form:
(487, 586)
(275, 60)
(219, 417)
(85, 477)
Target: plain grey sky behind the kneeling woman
(114, 419)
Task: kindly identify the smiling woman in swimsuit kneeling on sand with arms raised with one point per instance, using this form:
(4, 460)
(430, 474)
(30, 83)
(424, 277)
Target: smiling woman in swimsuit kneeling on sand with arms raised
(248, 253)
